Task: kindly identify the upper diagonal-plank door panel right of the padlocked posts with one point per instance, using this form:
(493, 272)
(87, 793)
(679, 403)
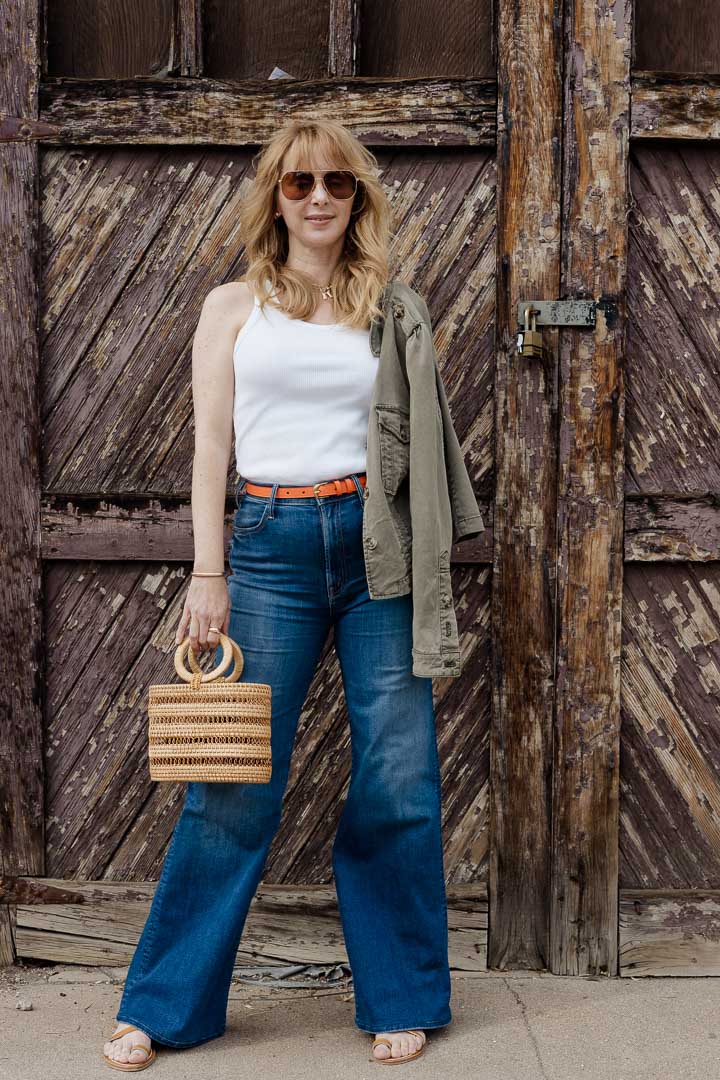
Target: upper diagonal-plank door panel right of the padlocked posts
(673, 410)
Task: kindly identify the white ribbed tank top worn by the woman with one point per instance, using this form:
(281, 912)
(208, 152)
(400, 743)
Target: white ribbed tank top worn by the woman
(303, 399)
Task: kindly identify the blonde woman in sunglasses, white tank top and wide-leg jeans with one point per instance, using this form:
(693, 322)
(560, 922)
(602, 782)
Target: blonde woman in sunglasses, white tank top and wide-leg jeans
(283, 358)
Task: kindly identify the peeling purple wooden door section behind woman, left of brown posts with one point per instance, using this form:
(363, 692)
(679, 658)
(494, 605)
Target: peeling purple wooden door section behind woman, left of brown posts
(128, 160)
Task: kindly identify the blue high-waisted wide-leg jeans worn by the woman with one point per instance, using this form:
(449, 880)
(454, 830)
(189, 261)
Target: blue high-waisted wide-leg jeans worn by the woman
(298, 570)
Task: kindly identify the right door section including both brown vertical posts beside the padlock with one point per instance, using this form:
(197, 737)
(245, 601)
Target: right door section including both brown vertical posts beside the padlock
(604, 751)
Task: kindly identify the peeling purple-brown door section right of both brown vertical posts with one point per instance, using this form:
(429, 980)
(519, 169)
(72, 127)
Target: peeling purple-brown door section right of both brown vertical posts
(670, 784)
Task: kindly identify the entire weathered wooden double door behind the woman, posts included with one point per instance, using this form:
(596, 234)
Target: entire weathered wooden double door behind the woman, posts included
(531, 152)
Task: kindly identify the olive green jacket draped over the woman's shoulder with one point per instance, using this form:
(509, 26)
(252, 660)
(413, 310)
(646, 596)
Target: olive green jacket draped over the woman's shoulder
(419, 499)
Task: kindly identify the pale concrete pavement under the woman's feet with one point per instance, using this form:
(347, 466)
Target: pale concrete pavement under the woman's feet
(519, 1027)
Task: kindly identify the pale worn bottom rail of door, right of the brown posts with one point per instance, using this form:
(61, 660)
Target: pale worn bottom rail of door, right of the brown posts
(670, 933)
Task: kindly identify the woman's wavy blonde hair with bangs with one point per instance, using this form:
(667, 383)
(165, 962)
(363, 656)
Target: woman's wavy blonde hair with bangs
(363, 271)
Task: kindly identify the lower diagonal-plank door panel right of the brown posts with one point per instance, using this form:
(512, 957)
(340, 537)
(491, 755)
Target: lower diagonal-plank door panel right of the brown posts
(671, 753)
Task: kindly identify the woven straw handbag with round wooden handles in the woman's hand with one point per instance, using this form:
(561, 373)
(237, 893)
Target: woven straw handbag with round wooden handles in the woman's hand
(210, 727)
